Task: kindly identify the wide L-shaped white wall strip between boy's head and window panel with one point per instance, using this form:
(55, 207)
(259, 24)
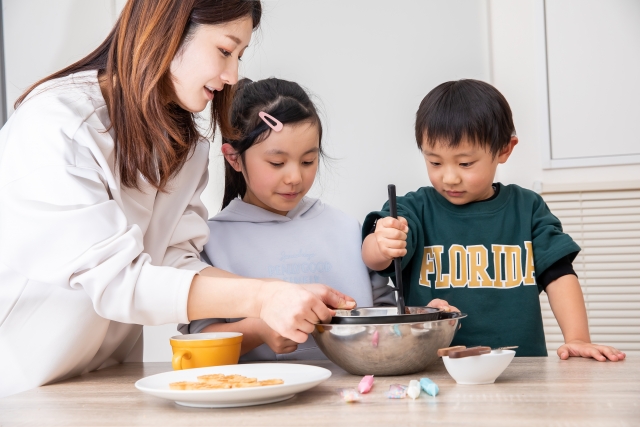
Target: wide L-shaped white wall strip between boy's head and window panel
(515, 72)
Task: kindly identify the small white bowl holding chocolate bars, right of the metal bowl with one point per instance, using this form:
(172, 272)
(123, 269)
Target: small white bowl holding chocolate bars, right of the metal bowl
(483, 369)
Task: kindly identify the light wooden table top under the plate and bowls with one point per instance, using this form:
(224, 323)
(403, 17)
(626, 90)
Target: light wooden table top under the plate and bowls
(531, 391)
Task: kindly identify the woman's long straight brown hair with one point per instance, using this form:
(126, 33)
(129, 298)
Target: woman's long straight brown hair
(154, 136)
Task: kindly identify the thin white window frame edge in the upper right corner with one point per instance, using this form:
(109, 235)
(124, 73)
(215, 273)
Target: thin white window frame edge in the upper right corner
(542, 73)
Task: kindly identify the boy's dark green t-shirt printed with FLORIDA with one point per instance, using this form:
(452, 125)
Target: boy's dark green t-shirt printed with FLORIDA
(454, 251)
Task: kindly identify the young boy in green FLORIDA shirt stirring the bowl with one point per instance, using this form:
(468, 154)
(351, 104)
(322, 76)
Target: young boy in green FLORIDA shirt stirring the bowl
(487, 248)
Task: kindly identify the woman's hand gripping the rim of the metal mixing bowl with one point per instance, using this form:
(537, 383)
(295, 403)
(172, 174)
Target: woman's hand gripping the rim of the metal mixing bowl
(293, 310)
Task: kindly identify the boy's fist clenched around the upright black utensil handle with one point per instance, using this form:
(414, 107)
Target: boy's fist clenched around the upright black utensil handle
(389, 241)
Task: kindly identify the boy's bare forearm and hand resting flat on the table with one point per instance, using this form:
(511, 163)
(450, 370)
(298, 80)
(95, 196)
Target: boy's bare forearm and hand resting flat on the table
(567, 304)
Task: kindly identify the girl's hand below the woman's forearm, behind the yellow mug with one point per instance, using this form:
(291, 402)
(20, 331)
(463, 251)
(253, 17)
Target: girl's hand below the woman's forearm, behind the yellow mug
(255, 332)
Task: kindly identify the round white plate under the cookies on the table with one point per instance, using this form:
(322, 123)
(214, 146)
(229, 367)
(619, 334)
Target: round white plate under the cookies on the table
(296, 378)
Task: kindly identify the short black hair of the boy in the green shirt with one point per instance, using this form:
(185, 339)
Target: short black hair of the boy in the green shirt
(468, 109)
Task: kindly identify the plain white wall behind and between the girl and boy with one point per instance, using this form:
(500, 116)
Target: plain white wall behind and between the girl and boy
(369, 64)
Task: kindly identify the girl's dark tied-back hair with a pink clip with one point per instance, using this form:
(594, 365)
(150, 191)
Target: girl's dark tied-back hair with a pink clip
(284, 100)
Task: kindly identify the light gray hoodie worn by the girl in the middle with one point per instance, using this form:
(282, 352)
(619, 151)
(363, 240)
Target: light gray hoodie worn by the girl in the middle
(313, 243)
